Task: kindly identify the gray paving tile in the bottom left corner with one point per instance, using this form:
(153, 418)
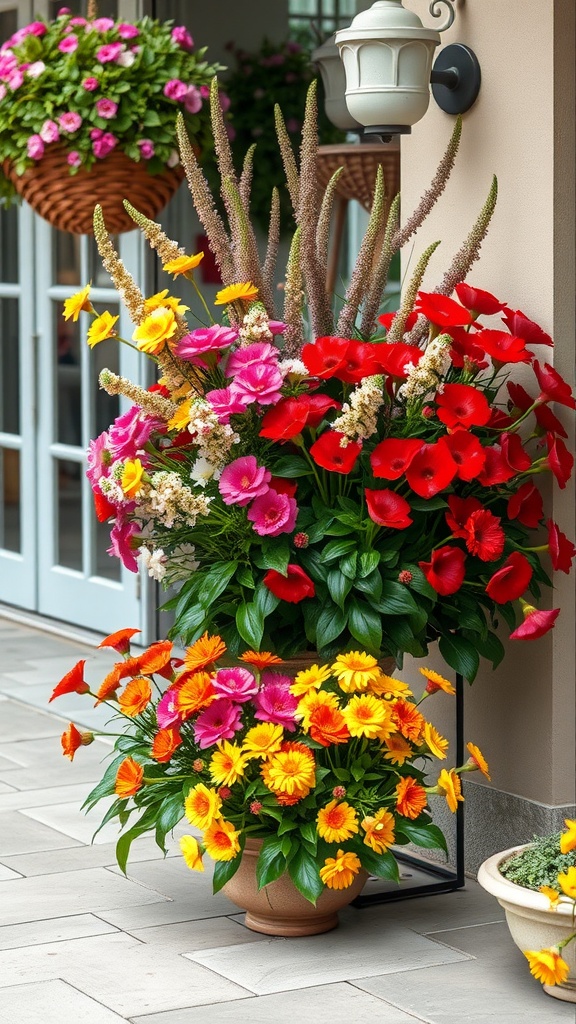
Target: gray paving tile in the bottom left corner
(47, 1002)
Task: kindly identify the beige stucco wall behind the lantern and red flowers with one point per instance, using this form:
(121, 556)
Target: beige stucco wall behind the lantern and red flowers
(522, 130)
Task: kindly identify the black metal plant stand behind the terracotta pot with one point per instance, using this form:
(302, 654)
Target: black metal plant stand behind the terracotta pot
(443, 880)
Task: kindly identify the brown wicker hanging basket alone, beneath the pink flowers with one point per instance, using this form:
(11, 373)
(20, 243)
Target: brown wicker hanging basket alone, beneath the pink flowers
(68, 201)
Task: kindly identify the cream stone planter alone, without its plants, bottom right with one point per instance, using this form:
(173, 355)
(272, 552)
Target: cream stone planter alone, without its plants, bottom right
(532, 923)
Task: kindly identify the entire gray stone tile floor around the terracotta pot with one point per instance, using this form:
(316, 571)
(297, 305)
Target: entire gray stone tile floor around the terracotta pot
(79, 942)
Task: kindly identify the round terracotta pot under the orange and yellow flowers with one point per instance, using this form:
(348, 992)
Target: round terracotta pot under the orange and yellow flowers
(279, 909)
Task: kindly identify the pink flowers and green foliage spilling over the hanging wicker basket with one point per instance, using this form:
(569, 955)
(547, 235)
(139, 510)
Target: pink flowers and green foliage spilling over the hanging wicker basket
(92, 86)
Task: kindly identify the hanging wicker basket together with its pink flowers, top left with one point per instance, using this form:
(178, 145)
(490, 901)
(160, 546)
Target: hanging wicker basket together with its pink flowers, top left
(88, 113)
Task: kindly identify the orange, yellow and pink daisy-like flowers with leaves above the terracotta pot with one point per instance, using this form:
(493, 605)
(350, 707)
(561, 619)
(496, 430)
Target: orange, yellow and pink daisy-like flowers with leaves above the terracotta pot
(328, 770)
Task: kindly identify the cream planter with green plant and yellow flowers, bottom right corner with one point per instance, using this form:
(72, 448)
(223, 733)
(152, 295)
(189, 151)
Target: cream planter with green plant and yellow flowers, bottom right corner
(537, 886)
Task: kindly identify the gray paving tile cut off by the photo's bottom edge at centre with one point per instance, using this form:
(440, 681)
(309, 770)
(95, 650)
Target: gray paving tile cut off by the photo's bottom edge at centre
(340, 1004)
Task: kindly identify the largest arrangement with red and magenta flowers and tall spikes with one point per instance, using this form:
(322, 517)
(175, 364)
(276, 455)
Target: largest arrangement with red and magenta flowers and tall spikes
(368, 482)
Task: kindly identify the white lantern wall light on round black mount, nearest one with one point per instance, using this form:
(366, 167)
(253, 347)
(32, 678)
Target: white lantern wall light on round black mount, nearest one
(388, 60)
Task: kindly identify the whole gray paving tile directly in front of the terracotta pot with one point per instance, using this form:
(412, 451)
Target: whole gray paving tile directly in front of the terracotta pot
(356, 950)
